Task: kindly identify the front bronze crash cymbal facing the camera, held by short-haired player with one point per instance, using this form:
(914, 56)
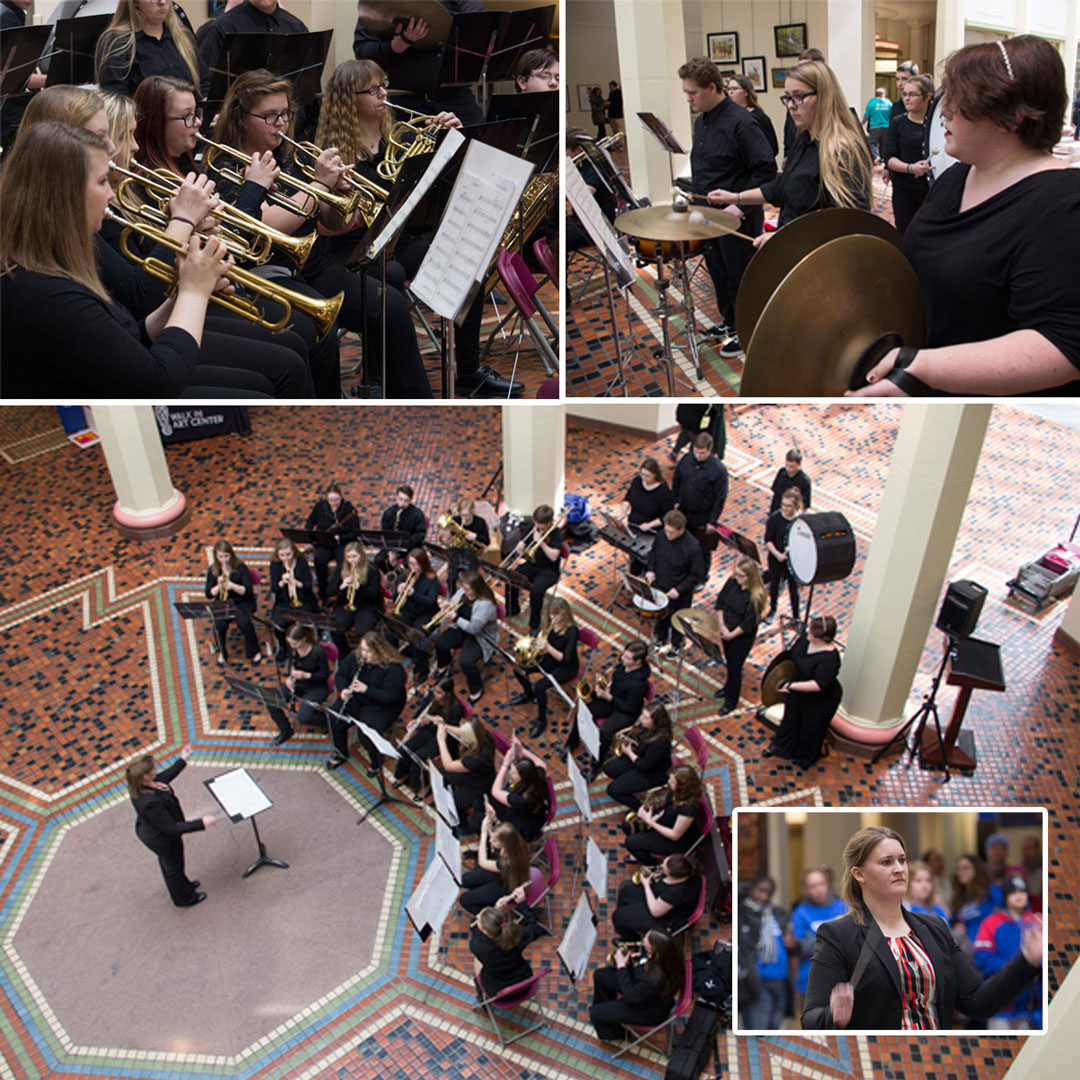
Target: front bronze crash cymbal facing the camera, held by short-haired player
(836, 302)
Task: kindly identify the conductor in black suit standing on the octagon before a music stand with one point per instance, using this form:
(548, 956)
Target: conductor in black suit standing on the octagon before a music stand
(160, 825)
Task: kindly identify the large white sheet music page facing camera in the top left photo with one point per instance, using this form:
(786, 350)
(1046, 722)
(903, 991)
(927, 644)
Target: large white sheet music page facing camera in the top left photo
(485, 196)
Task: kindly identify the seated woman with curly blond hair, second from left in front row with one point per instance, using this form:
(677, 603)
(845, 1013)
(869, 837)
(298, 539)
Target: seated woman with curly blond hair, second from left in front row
(371, 683)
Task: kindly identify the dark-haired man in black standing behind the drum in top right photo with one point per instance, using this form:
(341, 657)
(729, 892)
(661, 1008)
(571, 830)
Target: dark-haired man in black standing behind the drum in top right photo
(730, 152)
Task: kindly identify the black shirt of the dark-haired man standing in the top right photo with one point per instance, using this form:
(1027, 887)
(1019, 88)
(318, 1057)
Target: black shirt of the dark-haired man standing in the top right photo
(730, 151)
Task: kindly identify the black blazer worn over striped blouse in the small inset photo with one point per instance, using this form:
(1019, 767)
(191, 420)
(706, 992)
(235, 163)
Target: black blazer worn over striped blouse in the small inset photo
(879, 994)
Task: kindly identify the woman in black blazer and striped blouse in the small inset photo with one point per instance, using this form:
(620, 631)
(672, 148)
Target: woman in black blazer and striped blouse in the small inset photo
(882, 967)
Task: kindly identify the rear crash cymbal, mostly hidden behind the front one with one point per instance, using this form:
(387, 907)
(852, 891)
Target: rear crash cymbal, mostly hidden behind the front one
(776, 259)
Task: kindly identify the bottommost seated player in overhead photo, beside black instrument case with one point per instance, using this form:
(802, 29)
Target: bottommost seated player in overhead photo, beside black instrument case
(640, 989)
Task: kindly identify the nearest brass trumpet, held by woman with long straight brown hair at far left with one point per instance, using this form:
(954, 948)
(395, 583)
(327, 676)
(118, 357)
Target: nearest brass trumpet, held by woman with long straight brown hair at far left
(322, 313)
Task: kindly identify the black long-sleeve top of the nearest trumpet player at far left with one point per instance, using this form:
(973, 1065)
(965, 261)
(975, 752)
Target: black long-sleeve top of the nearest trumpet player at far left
(94, 349)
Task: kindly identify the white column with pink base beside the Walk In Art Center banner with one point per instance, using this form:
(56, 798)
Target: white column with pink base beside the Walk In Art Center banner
(146, 501)
